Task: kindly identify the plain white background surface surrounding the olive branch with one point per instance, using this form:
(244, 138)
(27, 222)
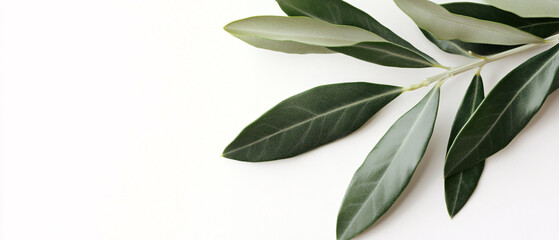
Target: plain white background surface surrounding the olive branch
(115, 113)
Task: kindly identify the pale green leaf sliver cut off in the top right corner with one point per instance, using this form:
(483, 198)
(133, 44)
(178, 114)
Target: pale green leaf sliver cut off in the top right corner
(531, 8)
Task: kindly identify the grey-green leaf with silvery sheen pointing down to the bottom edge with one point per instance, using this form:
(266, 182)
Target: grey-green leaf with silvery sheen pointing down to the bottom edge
(388, 169)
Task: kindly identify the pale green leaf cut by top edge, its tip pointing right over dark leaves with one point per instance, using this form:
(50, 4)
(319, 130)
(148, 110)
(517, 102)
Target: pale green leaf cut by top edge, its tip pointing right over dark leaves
(447, 26)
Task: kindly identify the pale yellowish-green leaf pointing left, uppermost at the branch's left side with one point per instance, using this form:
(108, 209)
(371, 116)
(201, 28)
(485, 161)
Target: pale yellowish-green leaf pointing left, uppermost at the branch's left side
(283, 32)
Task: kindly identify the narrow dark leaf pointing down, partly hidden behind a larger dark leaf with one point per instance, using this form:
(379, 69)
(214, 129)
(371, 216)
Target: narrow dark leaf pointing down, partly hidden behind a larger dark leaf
(459, 188)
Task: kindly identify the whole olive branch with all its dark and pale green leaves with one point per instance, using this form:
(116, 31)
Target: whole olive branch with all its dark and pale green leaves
(483, 124)
